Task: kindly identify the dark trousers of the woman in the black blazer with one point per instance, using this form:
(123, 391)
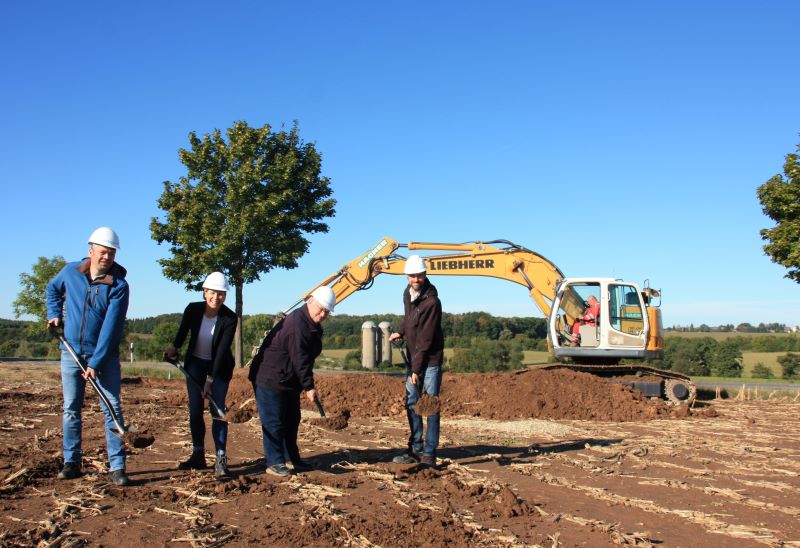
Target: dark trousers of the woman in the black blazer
(197, 370)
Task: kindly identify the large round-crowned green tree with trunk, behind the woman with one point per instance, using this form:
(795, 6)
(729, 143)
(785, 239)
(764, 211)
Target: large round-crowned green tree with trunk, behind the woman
(243, 207)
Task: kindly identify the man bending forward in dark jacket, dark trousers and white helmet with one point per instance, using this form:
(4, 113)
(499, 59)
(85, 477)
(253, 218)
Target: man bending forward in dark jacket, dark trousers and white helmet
(281, 370)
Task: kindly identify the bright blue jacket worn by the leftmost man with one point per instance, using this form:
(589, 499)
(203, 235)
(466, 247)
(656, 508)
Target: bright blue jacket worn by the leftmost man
(93, 310)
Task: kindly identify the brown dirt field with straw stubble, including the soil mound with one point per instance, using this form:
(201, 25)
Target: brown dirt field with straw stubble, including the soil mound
(528, 459)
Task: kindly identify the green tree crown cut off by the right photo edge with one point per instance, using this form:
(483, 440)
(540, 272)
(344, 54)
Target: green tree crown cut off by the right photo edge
(780, 201)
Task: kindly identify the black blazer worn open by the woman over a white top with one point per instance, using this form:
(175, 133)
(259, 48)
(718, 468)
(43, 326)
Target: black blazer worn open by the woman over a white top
(221, 356)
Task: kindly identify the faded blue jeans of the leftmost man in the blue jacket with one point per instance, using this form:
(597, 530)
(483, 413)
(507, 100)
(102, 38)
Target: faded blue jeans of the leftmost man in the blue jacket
(109, 380)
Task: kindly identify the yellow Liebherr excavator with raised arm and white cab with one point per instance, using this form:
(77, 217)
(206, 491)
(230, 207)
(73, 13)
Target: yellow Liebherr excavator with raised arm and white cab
(628, 326)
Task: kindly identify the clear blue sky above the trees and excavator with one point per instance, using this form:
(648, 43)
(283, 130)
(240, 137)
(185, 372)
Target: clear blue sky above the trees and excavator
(620, 139)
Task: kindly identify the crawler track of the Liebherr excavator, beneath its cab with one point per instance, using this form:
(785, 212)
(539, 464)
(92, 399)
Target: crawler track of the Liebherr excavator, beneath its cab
(675, 388)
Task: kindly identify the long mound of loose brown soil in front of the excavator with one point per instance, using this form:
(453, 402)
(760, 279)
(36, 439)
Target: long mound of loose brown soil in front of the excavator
(557, 394)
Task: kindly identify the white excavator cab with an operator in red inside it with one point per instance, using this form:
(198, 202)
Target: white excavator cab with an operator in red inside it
(619, 327)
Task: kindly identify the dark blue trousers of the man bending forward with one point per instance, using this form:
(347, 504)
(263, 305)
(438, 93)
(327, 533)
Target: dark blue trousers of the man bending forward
(279, 411)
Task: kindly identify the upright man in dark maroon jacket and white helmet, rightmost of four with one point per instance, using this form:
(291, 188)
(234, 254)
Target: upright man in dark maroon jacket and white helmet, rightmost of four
(422, 329)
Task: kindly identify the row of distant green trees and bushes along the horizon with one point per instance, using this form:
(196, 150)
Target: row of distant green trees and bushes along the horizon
(481, 342)
